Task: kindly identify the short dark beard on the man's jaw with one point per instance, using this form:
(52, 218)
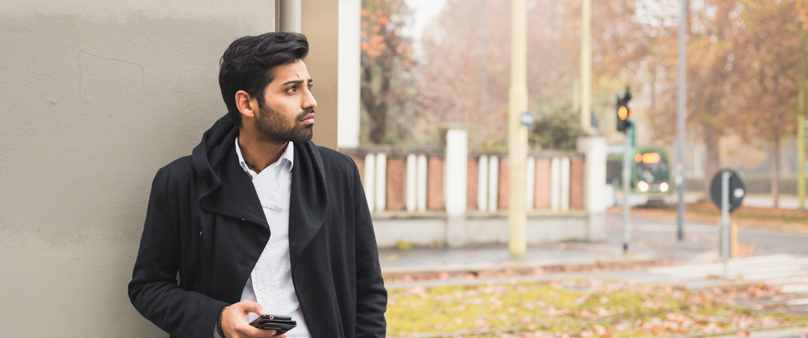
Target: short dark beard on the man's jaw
(274, 127)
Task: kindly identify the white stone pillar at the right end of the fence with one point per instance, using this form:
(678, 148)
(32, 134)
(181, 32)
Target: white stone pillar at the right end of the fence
(594, 149)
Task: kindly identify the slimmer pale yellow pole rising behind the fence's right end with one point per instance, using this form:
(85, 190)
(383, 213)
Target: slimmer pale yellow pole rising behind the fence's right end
(586, 65)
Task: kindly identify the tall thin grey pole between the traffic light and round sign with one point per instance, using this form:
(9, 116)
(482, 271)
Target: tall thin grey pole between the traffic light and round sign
(680, 124)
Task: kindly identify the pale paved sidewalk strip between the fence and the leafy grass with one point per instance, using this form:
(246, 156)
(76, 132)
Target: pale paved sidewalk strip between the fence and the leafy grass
(653, 243)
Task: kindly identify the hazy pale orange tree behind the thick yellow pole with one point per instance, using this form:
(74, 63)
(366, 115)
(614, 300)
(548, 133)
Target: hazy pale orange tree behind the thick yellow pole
(467, 65)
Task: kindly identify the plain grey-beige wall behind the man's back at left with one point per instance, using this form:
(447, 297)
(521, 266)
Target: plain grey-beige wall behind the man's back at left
(96, 96)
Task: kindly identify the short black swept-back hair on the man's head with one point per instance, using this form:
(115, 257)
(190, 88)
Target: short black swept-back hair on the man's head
(246, 65)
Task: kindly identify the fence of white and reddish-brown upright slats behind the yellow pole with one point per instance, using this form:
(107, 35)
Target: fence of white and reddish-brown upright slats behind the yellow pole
(469, 181)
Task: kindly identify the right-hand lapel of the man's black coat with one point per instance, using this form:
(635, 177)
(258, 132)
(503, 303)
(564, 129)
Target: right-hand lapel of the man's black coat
(308, 202)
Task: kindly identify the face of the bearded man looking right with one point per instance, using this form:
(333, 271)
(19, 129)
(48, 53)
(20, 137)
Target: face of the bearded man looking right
(287, 113)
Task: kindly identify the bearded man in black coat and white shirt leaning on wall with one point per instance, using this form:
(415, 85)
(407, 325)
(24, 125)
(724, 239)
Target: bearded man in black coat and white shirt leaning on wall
(259, 220)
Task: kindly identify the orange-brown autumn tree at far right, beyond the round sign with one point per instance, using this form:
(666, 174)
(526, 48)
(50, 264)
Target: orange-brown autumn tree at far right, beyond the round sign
(769, 59)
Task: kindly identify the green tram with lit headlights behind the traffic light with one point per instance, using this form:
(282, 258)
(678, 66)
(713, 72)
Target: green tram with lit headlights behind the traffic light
(650, 172)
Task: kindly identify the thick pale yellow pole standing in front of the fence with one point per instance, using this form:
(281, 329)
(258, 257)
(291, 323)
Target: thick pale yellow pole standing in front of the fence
(517, 133)
